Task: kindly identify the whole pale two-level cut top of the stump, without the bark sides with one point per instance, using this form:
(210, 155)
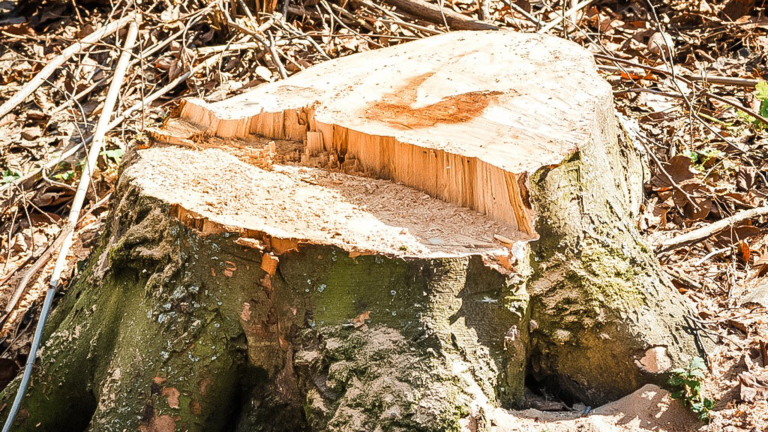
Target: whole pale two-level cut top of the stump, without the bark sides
(465, 117)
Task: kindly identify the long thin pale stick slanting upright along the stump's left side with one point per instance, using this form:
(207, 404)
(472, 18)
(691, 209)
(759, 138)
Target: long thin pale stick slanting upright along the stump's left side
(74, 213)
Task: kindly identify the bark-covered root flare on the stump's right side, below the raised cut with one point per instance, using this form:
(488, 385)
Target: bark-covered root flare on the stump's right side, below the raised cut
(606, 318)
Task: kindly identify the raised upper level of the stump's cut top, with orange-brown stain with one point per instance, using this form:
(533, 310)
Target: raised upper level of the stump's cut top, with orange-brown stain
(463, 116)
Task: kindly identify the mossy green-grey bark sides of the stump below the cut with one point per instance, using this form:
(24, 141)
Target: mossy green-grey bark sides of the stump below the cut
(167, 329)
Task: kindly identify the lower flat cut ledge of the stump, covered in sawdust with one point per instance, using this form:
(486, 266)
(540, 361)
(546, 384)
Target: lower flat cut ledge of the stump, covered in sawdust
(314, 205)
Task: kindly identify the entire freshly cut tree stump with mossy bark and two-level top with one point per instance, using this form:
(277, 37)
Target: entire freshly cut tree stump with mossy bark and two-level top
(392, 241)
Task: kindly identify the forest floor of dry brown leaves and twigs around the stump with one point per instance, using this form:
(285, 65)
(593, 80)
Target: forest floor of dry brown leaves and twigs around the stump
(688, 85)
